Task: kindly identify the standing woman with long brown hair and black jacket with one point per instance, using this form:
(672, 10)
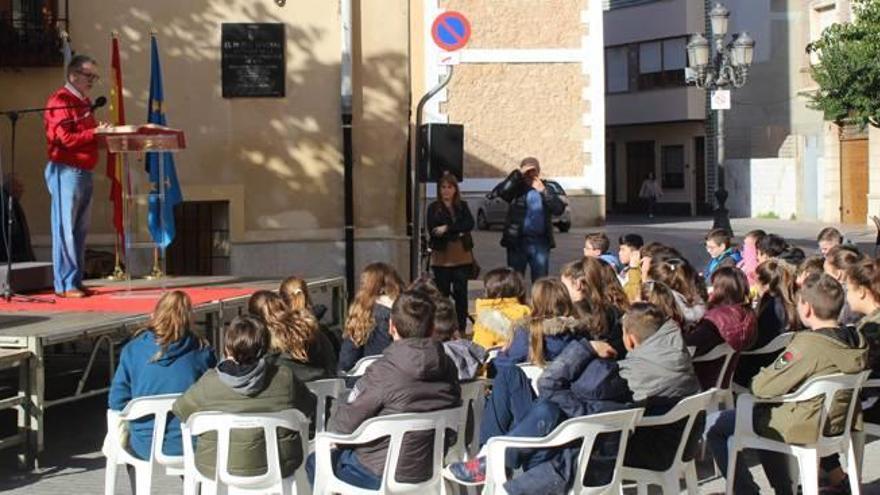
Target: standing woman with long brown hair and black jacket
(450, 223)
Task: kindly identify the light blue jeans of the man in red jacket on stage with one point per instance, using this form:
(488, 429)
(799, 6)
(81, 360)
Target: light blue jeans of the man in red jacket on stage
(71, 191)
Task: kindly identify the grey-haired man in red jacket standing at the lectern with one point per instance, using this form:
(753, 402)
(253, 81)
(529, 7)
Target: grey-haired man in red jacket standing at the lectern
(73, 153)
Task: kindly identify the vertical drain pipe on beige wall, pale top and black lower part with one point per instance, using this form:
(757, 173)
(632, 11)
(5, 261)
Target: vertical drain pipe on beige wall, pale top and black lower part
(347, 151)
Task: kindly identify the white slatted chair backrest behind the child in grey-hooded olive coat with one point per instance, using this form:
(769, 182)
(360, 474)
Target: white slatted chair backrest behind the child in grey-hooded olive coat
(203, 422)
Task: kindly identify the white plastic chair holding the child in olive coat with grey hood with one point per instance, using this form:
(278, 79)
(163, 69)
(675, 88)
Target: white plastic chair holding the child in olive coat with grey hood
(223, 423)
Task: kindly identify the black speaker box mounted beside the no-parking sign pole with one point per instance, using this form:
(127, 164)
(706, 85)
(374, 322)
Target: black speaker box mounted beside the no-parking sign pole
(441, 150)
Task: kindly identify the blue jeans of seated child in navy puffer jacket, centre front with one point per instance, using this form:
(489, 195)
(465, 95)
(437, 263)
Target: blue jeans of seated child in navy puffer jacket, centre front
(510, 401)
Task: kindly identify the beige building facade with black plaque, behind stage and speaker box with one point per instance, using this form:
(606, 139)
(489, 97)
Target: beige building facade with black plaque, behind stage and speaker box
(262, 178)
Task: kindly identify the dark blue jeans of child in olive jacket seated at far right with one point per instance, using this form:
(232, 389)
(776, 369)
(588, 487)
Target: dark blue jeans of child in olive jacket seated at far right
(775, 465)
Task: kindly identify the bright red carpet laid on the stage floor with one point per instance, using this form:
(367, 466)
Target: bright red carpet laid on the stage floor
(118, 300)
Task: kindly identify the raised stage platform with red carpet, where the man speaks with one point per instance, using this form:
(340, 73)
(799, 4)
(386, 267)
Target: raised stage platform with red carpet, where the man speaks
(97, 326)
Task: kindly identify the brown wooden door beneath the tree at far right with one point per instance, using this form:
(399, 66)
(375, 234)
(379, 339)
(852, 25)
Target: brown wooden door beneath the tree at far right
(854, 181)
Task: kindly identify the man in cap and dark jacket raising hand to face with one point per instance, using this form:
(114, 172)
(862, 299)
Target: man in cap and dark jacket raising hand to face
(528, 230)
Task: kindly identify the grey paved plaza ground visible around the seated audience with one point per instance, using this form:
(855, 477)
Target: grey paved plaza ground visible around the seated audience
(73, 462)
